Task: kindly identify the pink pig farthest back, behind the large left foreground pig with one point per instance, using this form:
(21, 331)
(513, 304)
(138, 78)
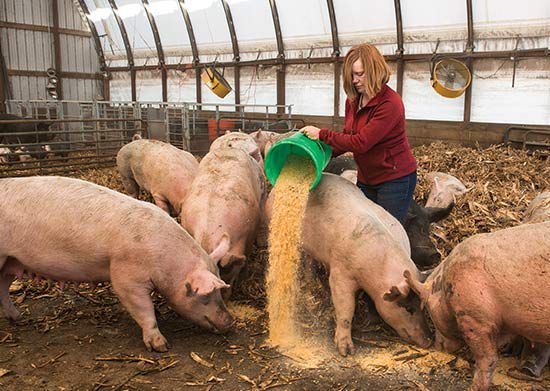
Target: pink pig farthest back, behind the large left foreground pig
(159, 168)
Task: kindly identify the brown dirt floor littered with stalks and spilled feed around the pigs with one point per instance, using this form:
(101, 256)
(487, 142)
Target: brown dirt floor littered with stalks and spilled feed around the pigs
(82, 339)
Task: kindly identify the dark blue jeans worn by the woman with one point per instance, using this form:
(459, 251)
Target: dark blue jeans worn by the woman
(394, 196)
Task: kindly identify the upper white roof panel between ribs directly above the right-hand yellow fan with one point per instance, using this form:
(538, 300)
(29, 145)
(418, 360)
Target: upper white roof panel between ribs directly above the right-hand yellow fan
(446, 21)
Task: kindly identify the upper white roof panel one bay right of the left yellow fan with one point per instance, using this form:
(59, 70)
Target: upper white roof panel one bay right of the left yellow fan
(257, 32)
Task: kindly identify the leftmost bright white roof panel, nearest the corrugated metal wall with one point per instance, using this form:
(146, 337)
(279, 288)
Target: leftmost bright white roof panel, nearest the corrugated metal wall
(101, 14)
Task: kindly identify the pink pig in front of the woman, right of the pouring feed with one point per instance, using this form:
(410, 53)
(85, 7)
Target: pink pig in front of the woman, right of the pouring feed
(364, 247)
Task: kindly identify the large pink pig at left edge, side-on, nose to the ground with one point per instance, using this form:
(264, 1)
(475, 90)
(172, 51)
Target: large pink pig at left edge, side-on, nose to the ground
(66, 229)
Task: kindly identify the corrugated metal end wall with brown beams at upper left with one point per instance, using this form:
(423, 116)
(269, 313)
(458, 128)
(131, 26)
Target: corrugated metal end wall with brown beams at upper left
(27, 50)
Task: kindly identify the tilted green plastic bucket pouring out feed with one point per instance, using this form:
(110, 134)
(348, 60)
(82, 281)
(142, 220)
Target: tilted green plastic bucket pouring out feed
(297, 144)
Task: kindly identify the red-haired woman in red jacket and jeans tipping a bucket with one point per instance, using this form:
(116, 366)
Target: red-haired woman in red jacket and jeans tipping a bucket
(374, 130)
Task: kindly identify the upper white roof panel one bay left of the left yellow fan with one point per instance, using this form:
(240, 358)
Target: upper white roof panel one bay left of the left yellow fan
(171, 26)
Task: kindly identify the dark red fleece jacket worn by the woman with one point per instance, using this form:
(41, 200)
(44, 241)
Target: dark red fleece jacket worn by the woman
(376, 136)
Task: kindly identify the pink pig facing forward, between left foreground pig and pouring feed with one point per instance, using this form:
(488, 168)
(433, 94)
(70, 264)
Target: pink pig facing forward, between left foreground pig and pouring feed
(225, 199)
